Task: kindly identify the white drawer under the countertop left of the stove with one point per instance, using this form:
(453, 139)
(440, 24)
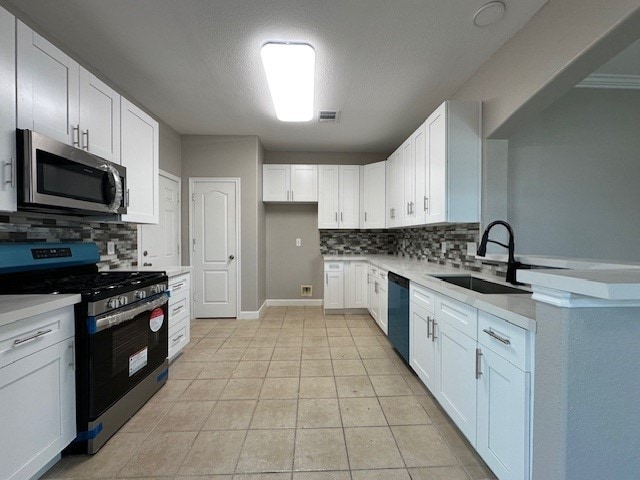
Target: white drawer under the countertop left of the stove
(24, 337)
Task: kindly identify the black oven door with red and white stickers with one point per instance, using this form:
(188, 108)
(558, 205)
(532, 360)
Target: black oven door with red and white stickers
(125, 345)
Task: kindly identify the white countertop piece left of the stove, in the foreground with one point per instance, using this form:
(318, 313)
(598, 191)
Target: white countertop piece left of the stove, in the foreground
(19, 307)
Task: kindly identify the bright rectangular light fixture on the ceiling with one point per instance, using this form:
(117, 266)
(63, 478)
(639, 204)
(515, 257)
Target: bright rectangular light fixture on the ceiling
(290, 69)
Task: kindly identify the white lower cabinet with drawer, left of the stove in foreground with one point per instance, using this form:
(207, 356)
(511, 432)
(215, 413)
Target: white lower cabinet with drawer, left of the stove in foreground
(37, 392)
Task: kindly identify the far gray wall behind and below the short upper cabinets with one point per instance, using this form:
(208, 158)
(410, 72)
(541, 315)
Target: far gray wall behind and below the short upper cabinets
(289, 266)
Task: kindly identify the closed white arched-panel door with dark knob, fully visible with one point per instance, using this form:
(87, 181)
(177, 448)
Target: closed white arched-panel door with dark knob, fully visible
(214, 250)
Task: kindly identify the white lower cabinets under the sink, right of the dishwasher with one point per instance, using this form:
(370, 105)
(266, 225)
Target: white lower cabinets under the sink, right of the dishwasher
(478, 367)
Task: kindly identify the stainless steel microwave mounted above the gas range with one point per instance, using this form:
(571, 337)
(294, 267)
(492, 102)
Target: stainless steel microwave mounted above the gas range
(54, 176)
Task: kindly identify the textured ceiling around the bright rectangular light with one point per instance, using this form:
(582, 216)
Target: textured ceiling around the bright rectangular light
(385, 64)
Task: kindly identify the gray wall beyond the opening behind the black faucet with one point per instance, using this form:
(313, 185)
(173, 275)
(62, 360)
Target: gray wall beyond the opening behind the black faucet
(573, 177)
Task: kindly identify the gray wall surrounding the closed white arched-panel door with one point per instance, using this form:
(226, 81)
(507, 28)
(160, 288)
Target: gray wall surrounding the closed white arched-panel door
(231, 156)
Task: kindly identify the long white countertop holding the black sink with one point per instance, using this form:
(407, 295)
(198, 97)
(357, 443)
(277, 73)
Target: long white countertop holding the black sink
(517, 309)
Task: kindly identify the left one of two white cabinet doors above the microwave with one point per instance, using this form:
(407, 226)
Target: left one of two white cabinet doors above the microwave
(48, 90)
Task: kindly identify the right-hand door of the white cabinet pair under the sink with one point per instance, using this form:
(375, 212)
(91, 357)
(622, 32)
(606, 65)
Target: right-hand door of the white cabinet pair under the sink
(456, 386)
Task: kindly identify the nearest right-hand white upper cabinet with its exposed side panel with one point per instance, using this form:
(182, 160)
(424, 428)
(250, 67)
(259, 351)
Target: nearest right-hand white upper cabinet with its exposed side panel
(452, 175)
